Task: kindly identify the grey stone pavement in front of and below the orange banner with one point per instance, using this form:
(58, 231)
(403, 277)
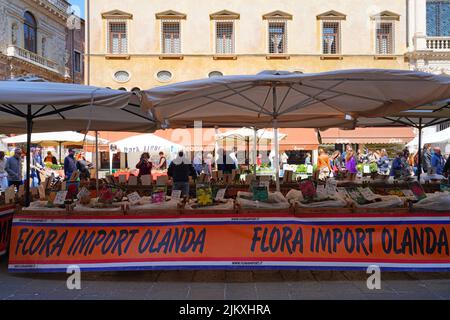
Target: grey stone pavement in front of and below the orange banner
(228, 285)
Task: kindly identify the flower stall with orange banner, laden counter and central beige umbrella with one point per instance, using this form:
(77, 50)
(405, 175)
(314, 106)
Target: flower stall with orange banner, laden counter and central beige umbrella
(237, 221)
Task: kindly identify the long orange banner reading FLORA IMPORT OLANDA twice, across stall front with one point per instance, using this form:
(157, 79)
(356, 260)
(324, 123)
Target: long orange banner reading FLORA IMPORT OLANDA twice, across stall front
(415, 242)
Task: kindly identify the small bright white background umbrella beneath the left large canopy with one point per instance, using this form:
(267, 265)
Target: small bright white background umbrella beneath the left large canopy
(56, 138)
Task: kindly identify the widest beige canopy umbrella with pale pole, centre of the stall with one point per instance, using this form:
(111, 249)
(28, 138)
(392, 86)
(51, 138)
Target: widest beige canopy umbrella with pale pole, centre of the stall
(284, 99)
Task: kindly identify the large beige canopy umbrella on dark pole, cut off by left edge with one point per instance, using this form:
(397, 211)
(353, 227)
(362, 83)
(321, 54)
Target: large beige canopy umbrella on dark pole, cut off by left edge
(46, 106)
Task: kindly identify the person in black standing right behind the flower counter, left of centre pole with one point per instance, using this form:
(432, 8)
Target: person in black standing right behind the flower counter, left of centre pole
(179, 170)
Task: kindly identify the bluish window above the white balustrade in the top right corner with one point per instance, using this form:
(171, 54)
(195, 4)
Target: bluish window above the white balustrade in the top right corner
(438, 18)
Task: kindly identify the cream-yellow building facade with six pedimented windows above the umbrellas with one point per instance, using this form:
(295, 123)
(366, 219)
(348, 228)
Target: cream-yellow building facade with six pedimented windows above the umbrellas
(142, 44)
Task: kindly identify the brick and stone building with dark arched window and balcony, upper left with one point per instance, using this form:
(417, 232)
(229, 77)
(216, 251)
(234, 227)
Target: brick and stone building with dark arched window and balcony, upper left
(33, 39)
